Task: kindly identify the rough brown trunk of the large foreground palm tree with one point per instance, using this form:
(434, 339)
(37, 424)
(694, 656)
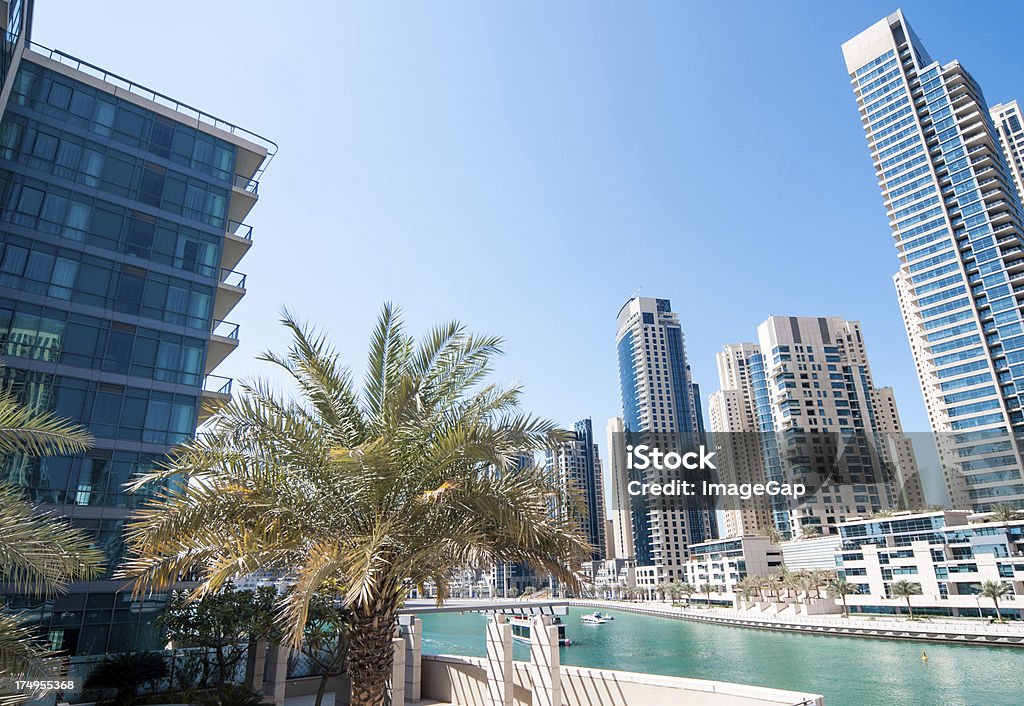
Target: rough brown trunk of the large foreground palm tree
(370, 653)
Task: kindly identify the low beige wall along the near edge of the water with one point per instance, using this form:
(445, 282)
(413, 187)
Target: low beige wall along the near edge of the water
(463, 681)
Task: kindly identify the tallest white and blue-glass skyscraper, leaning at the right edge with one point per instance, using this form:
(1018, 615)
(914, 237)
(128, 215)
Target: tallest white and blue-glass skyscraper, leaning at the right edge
(957, 222)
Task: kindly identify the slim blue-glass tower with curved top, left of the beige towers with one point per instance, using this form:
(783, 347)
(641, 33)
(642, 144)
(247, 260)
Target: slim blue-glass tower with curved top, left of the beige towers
(660, 399)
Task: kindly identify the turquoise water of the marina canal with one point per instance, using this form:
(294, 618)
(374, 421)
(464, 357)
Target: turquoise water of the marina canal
(849, 672)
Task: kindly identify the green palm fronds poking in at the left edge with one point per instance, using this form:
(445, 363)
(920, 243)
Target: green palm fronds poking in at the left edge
(39, 553)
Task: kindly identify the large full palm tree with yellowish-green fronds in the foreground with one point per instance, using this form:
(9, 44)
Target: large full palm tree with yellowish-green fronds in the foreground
(383, 489)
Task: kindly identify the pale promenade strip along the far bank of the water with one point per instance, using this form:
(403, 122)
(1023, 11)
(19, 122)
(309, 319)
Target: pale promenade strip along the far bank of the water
(960, 632)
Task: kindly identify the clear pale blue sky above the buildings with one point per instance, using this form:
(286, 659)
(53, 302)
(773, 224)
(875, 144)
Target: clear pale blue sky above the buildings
(526, 168)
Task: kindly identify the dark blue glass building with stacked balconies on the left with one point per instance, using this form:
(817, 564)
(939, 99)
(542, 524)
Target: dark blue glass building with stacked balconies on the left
(121, 230)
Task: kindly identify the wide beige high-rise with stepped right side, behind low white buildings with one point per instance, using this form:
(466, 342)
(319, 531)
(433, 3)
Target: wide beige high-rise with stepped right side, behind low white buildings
(823, 423)
